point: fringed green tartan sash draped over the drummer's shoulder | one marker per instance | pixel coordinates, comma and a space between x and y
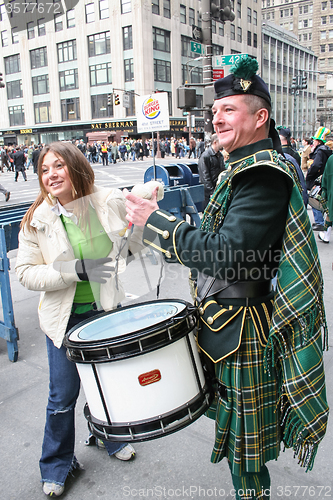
295, 342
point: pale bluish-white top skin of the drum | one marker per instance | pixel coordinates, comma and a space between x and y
126, 321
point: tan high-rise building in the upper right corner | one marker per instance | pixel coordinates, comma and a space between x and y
312, 22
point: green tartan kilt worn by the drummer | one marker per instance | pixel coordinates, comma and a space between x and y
247, 416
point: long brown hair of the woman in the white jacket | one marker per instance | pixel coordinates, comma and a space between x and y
80, 173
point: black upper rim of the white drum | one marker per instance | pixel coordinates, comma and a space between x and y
117, 341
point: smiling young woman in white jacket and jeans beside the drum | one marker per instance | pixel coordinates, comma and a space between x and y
69, 245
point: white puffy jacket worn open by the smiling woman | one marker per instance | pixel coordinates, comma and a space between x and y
46, 261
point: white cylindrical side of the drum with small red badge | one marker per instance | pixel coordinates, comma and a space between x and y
125, 400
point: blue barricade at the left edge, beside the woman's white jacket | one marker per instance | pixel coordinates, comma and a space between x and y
10, 219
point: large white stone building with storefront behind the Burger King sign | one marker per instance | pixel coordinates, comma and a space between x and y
70, 73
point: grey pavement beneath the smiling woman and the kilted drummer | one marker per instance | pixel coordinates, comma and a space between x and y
176, 466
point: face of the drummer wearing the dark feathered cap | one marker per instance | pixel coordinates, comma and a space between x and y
234, 124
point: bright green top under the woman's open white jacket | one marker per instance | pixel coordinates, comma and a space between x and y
90, 243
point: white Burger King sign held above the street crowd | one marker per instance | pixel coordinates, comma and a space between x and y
152, 112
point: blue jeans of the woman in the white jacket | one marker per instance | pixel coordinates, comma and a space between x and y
58, 457
